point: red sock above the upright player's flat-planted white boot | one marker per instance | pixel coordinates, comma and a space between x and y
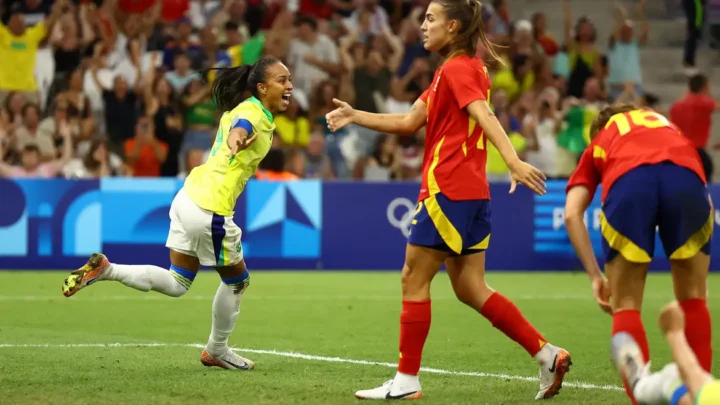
414, 328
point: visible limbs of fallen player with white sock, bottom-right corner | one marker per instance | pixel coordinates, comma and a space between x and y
681, 383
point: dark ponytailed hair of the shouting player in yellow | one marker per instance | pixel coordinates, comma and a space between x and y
230, 85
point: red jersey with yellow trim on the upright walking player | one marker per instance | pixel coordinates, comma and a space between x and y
455, 146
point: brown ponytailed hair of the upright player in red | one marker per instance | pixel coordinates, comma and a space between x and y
469, 14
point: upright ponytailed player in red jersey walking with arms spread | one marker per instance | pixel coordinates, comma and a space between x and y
452, 221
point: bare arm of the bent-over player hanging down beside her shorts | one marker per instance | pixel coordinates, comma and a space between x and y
577, 202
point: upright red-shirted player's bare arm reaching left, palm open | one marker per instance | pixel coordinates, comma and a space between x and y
400, 124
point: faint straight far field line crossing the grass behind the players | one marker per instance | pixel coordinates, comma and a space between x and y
250, 296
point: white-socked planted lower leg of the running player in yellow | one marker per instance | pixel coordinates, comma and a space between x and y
226, 309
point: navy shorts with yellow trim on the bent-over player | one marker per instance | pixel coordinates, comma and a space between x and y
663, 196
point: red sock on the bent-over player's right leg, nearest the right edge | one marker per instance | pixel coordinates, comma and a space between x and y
698, 330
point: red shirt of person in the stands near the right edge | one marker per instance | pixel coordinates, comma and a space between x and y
693, 115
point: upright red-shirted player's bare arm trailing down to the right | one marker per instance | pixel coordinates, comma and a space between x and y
520, 171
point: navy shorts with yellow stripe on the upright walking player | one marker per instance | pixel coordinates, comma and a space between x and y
458, 227
